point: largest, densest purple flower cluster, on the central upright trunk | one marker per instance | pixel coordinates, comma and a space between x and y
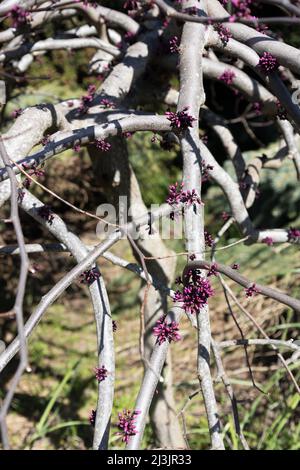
195, 292
